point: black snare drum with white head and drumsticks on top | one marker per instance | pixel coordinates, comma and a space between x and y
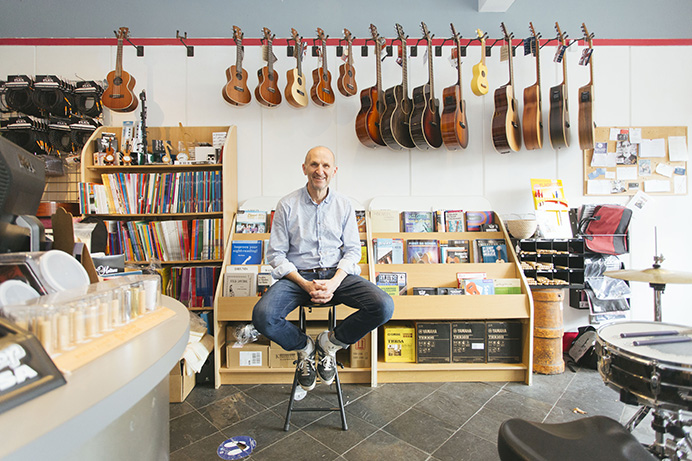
657, 375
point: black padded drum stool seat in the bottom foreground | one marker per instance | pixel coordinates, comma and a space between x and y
597, 437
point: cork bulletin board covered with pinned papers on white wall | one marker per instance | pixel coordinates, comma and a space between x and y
631, 159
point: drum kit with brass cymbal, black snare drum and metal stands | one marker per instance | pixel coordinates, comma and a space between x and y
650, 364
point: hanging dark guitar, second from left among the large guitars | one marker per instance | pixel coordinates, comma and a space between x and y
398, 106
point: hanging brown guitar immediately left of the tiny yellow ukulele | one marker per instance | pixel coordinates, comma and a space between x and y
453, 124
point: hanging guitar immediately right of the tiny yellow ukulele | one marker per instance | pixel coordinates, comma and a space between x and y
505, 126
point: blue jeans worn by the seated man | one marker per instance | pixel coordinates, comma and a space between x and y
375, 308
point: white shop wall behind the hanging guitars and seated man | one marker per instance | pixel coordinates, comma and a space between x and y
638, 86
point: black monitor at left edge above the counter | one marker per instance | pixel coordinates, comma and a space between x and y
22, 180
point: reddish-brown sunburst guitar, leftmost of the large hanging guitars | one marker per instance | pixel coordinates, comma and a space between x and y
372, 102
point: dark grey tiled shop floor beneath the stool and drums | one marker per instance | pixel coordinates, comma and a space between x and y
423, 421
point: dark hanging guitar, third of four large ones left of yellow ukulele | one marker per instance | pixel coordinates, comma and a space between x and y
425, 116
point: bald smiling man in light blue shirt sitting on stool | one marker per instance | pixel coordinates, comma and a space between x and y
314, 248
